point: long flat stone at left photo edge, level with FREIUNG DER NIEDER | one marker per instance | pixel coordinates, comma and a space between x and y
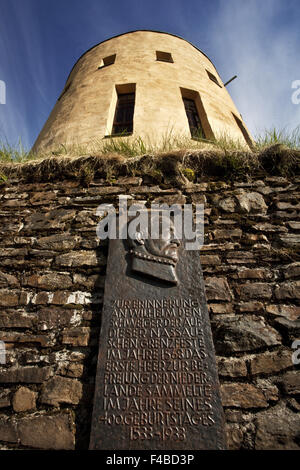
25, 375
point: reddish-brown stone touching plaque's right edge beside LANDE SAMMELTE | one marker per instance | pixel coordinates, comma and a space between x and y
242, 395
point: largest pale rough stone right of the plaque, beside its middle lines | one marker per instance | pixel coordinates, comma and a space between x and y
244, 334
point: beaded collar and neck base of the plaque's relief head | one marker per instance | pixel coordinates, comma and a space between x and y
154, 266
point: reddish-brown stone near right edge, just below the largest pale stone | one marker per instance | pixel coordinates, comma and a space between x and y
270, 362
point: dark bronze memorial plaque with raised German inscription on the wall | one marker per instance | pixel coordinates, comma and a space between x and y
157, 383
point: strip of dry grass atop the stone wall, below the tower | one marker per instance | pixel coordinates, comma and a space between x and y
176, 160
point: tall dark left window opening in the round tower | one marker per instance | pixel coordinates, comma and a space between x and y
123, 121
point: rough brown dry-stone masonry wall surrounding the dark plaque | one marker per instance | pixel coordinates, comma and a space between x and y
52, 272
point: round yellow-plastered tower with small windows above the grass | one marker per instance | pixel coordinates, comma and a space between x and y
144, 84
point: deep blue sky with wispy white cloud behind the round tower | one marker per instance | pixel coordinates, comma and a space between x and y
258, 40
